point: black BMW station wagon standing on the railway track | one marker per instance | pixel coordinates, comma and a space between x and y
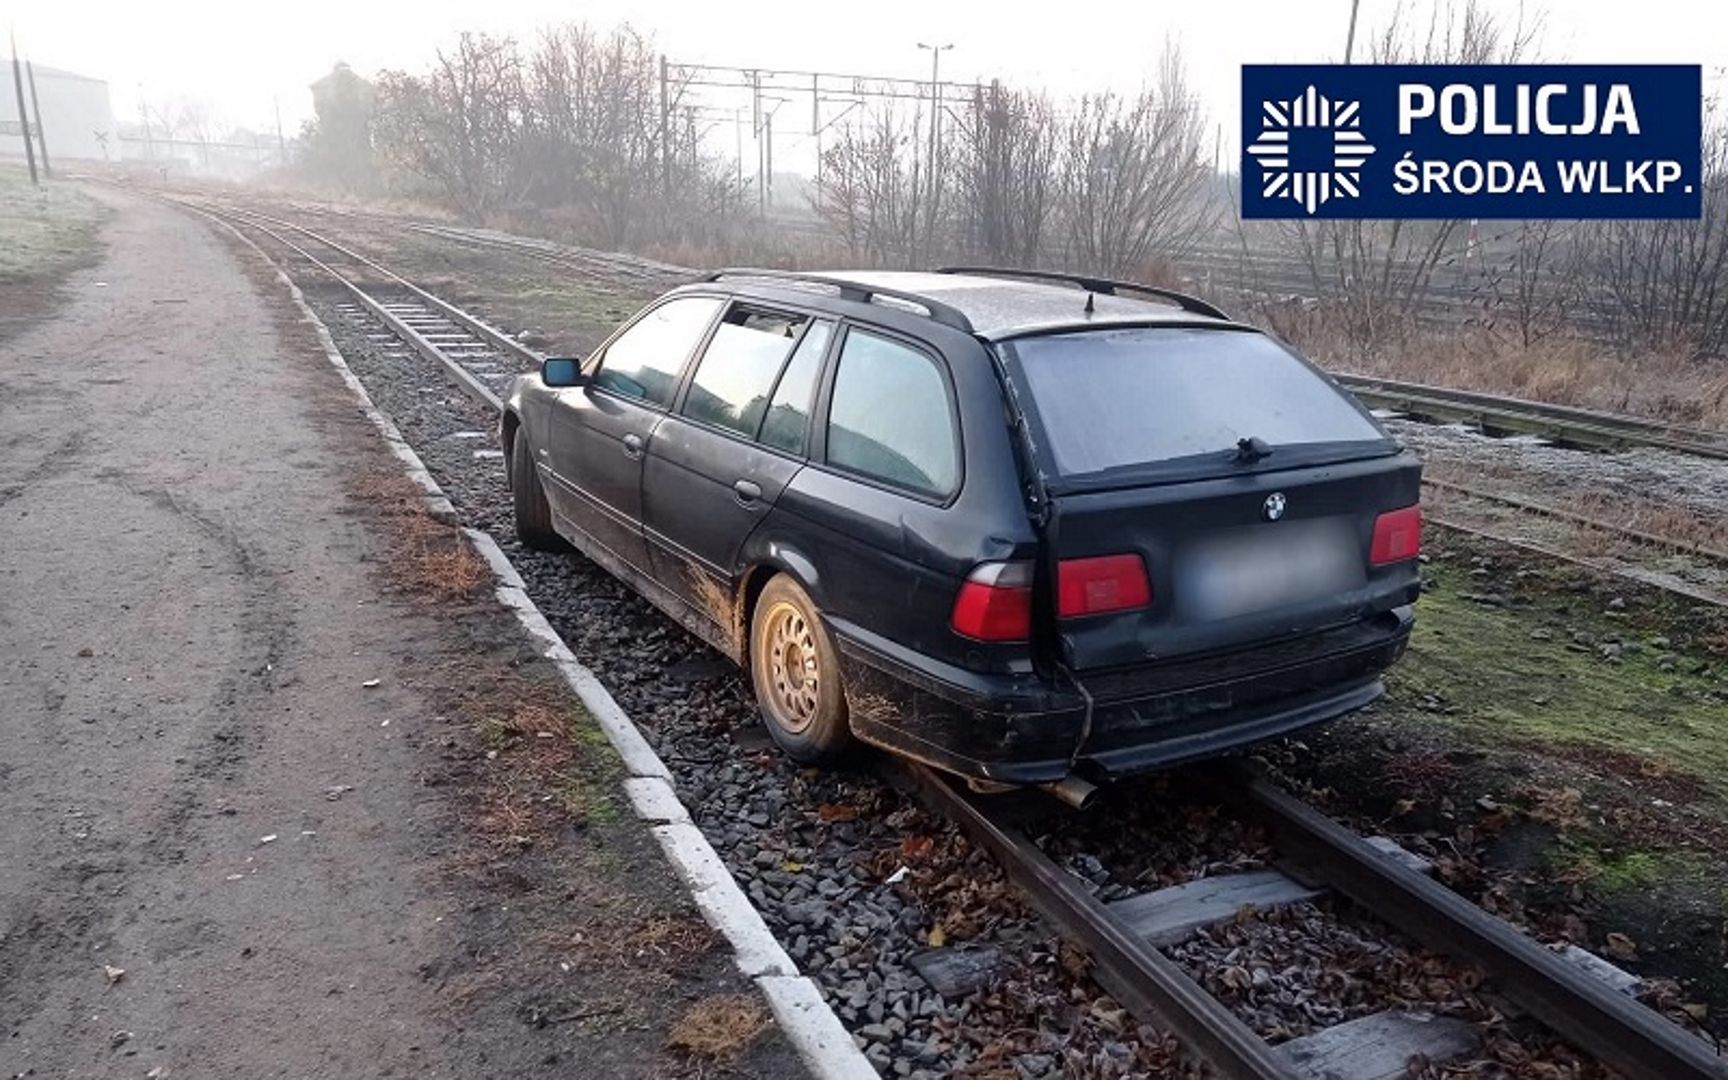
1032, 530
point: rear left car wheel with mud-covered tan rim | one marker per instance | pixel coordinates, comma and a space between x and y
797, 675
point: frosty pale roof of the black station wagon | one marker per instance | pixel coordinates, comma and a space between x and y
1000, 307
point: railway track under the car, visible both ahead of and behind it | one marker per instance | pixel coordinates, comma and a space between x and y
1560, 991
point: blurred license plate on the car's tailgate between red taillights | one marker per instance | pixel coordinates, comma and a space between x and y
1267, 568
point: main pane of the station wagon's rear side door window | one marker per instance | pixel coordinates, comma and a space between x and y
737, 371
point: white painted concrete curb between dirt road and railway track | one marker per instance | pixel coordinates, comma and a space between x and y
804, 1019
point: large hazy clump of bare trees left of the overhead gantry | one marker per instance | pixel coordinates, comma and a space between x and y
576, 130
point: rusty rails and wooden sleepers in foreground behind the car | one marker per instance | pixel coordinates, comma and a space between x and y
1572, 993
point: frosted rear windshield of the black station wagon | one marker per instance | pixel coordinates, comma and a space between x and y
1112, 400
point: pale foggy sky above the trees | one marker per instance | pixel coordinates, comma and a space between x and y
245, 60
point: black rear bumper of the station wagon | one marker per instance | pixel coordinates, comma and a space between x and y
1026, 730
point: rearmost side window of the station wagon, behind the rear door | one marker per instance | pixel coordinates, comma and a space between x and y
891, 416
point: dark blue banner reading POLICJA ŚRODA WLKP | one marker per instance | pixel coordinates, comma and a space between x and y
1471, 141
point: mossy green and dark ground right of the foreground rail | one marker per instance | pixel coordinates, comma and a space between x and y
1560, 744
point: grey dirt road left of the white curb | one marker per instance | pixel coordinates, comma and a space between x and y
222, 730
